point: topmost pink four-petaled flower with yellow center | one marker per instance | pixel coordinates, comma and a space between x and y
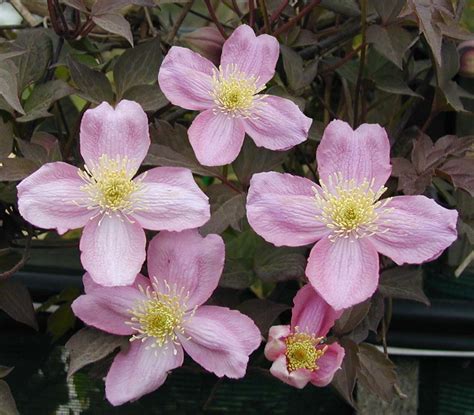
229, 98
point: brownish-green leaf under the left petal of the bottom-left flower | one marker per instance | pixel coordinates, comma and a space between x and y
89, 345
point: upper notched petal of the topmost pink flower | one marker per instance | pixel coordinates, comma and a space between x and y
254, 56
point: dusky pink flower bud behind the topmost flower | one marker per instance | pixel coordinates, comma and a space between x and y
207, 41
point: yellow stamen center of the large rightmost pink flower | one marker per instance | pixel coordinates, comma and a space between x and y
349, 209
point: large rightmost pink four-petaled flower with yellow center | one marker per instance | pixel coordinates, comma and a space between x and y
346, 216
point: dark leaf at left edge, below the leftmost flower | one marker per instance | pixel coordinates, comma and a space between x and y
15, 300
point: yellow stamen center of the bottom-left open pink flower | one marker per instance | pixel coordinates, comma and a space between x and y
160, 316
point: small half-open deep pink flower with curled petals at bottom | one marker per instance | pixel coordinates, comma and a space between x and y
298, 350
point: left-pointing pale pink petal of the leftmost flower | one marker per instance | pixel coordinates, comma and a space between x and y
50, 198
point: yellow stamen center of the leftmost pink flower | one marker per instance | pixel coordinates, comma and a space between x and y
109, 185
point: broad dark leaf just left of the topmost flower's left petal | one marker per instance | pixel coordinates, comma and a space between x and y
138, 66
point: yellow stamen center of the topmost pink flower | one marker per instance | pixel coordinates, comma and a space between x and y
234, 92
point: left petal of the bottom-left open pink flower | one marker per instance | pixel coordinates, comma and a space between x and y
108, 308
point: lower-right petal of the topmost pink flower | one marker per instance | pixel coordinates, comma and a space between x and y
278, 124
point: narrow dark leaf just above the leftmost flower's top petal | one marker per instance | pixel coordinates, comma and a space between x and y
94, 85
